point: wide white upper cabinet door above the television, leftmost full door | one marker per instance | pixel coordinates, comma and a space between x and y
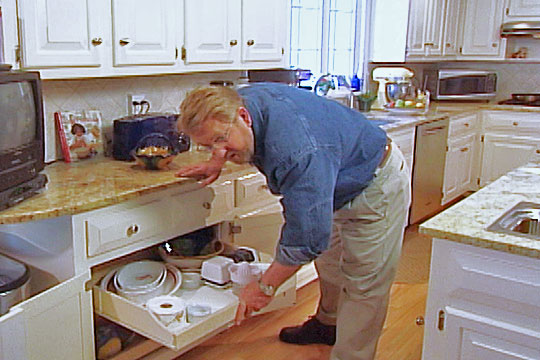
62, 33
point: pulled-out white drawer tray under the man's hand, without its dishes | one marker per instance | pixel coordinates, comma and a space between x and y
183, 336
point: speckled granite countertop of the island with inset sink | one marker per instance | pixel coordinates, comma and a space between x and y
466, 221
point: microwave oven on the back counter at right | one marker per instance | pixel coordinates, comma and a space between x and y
461, 84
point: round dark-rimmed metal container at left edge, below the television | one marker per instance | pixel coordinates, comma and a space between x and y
14, 283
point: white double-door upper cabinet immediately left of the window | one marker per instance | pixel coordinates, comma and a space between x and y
236, 32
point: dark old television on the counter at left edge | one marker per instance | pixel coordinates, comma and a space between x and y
22, 143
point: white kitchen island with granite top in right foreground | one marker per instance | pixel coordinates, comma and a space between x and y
484, 285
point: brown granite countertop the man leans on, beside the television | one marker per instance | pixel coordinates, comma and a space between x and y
91, 184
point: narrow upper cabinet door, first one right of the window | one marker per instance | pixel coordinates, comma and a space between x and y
425, 28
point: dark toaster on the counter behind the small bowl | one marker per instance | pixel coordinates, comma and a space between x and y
129, 130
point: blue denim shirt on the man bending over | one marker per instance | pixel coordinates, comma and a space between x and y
317, 154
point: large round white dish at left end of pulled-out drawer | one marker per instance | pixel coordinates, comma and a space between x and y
140, 275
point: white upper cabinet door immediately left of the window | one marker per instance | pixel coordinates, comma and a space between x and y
264, 30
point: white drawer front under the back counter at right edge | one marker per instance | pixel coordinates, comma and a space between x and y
512, 122
